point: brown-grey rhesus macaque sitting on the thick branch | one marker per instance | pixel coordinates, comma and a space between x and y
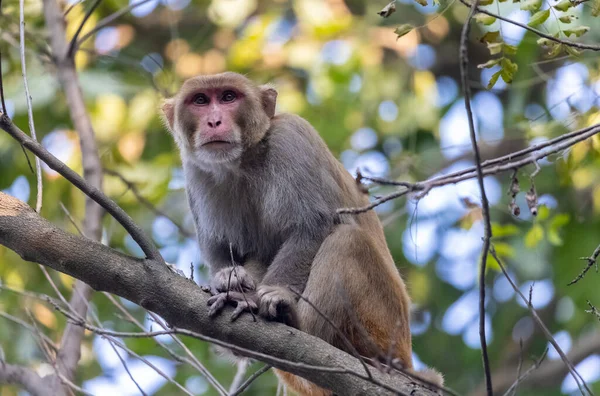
263, 190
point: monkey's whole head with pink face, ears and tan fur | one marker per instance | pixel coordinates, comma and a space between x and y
214, 119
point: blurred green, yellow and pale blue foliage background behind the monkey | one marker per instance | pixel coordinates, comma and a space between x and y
389, 106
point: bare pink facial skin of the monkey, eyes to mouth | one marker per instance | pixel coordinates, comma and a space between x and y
214, 111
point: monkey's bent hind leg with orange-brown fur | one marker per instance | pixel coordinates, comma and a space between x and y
357, 287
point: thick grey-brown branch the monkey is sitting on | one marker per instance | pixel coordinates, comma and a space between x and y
183, 304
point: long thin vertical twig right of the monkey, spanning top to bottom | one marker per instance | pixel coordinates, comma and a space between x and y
485, 207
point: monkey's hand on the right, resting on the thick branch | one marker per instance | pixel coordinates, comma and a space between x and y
277, 303
